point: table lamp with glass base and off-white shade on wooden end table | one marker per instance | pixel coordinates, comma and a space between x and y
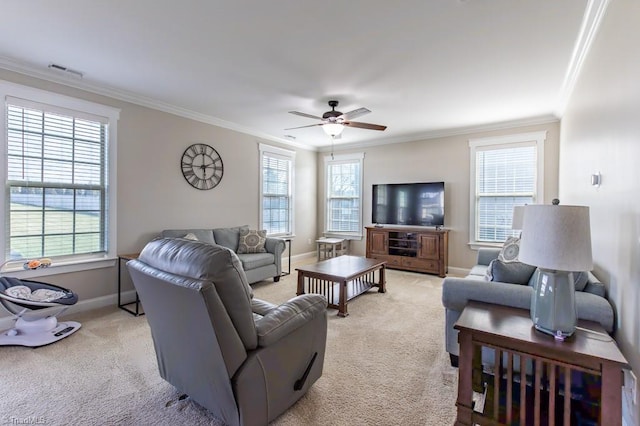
556, 239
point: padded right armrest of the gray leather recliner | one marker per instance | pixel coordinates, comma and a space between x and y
289, 316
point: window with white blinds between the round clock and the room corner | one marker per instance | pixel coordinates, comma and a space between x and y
276, 190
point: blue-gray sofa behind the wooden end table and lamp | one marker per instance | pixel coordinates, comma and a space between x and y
591, 302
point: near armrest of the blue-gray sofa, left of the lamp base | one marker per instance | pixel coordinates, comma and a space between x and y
456, 293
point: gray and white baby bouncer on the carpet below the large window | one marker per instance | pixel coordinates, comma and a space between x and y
35, 325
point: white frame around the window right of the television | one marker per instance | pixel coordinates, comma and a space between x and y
535, 139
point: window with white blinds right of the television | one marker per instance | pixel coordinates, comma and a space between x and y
506, 172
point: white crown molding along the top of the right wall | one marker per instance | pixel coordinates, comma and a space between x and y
591, 21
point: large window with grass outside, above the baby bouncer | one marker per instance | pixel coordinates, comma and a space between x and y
59, 191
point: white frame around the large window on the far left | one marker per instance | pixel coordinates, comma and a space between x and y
71, 263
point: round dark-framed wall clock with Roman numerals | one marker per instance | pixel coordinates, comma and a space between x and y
202, 166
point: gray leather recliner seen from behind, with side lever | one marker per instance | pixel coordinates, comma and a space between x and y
244, 359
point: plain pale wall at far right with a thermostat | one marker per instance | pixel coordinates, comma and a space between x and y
600, 132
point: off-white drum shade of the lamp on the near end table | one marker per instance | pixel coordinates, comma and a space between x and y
556, 237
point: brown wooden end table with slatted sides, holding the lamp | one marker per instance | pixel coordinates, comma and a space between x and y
537, 393
